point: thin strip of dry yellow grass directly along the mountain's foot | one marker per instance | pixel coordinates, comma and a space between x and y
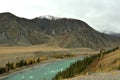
35, 48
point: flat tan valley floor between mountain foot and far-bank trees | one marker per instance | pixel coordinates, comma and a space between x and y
13, 53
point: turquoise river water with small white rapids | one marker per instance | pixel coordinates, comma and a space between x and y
44, 71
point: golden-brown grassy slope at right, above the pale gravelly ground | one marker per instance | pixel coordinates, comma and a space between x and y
108, 63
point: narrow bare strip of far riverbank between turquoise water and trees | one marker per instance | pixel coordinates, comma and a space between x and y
33, 66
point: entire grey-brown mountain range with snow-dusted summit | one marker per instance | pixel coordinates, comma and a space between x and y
64, 32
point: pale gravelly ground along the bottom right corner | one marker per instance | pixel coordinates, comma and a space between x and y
114, 75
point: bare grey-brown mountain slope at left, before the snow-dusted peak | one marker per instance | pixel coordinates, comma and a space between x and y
19, 31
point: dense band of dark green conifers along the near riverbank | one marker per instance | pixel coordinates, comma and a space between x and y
80, 65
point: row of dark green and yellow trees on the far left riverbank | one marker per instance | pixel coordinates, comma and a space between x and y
13, 66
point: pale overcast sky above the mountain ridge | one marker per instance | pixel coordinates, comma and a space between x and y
100, 14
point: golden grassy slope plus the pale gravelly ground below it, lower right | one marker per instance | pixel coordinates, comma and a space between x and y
107, 68
